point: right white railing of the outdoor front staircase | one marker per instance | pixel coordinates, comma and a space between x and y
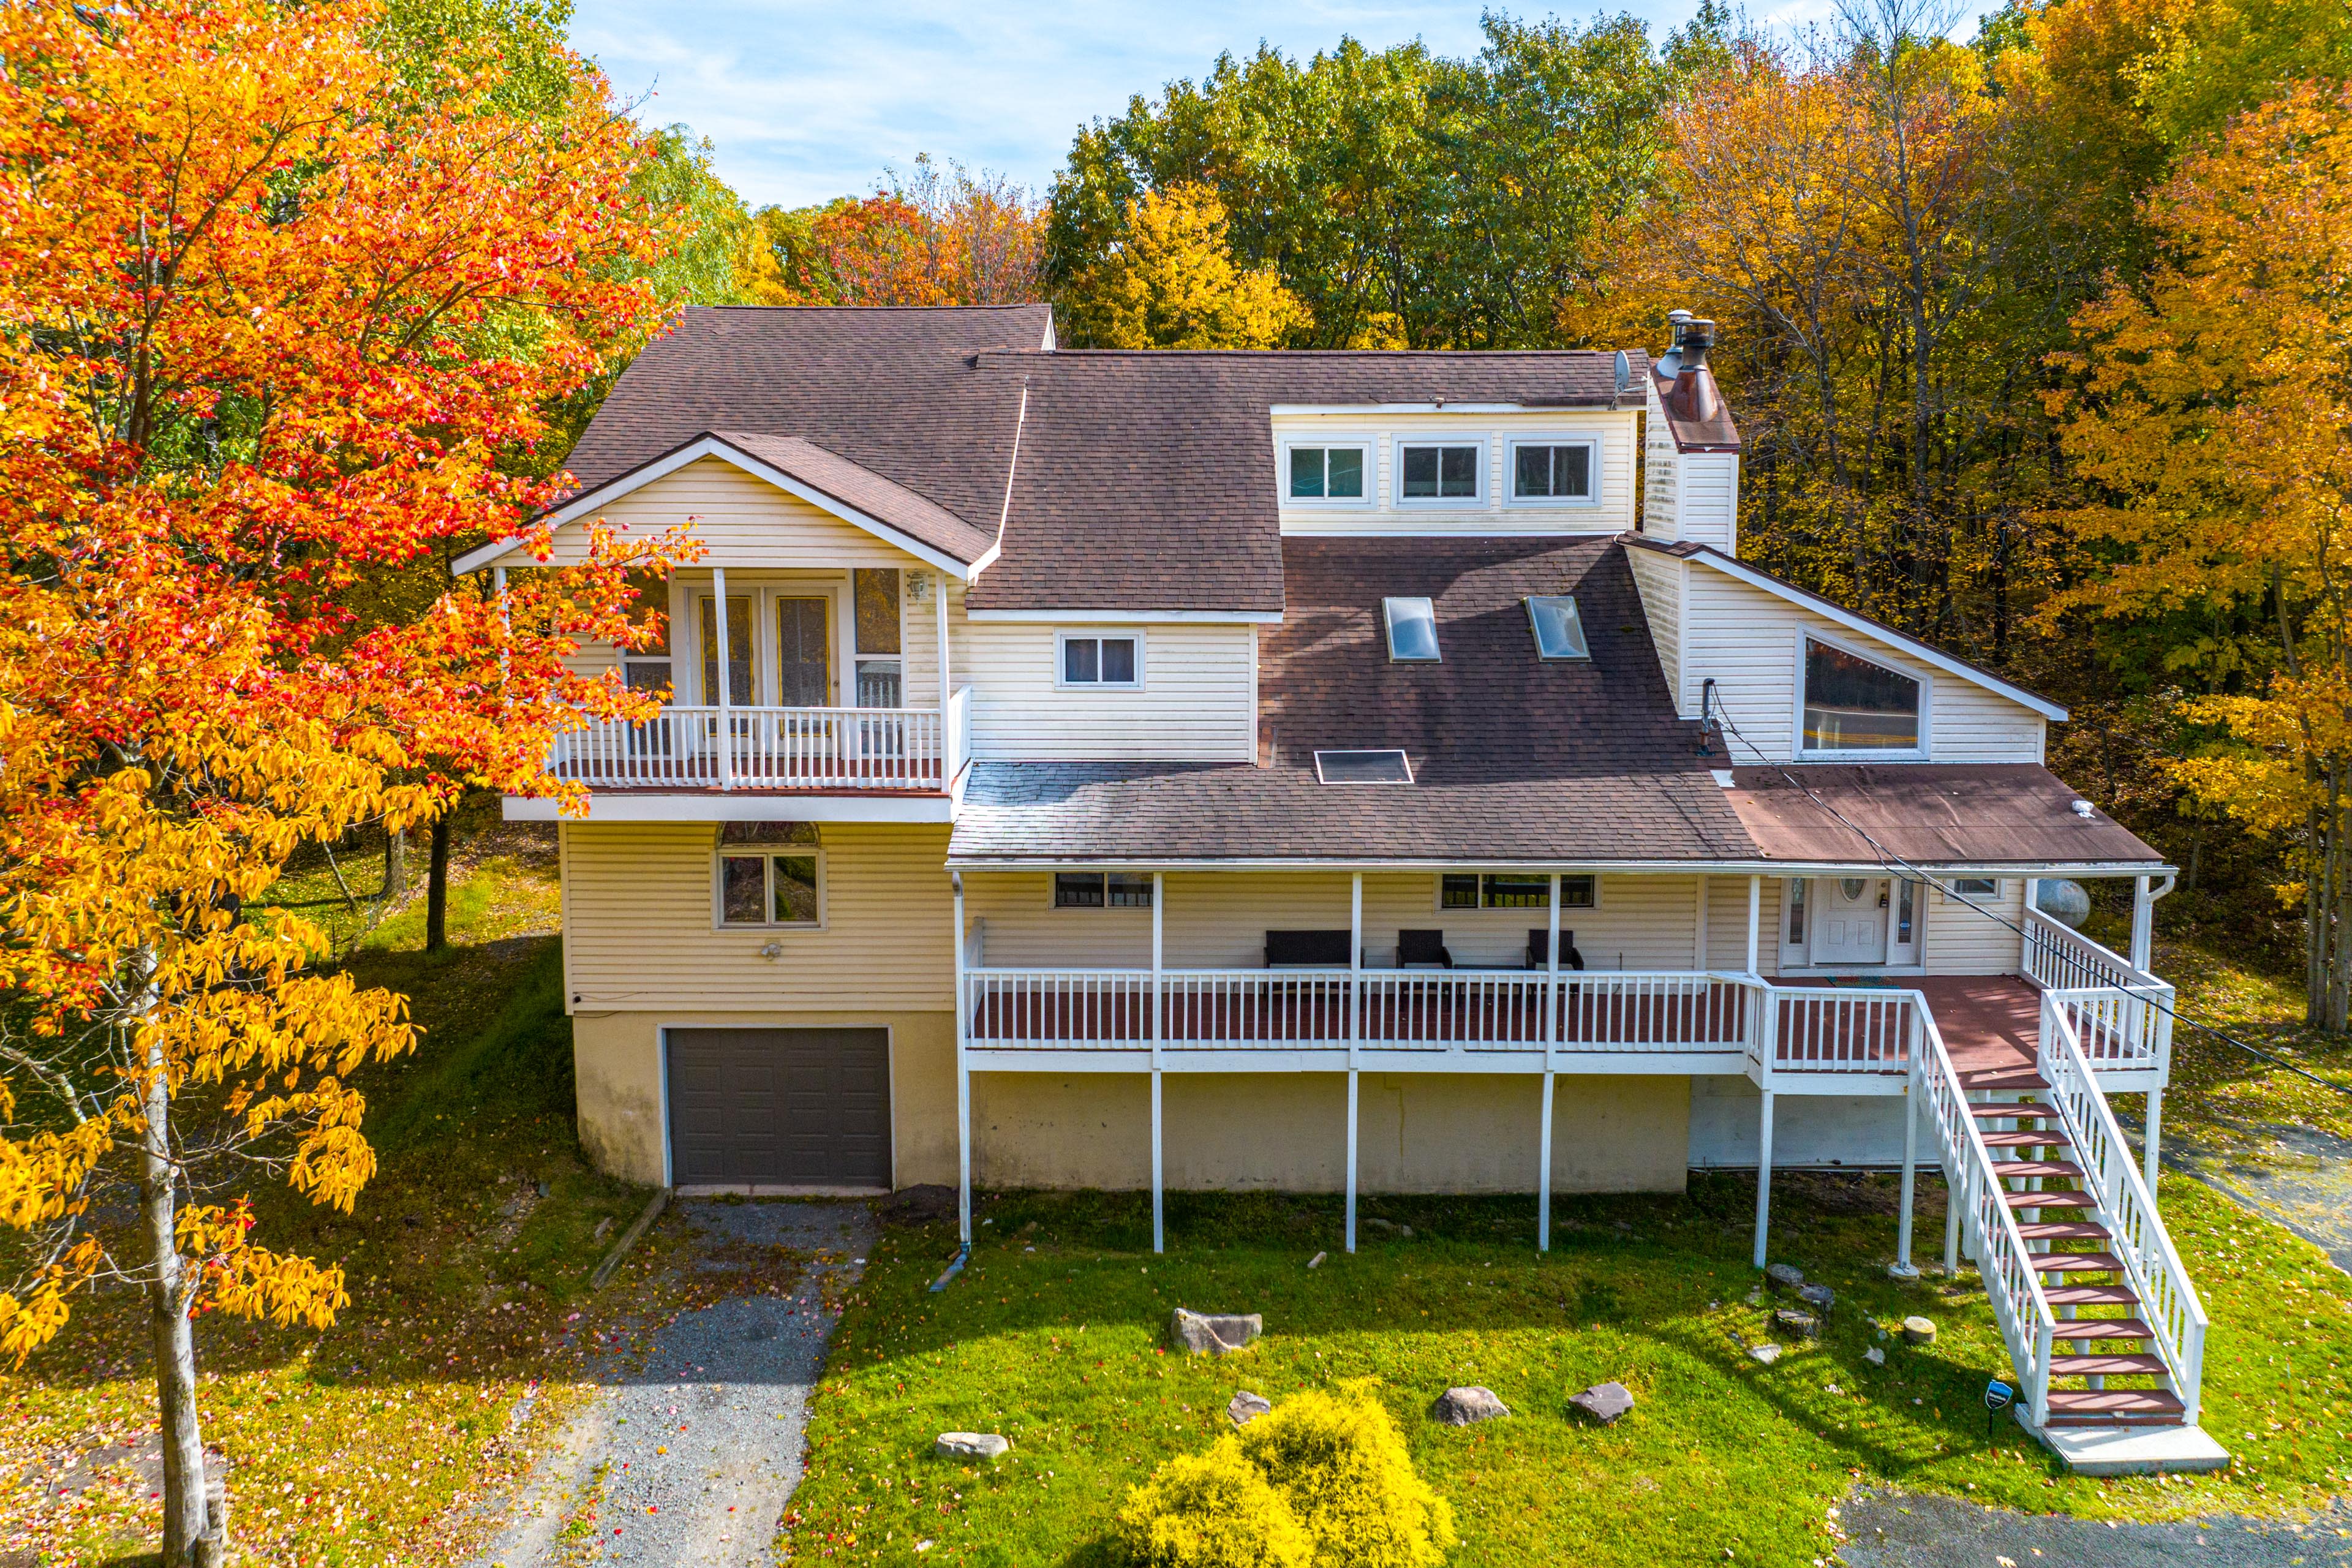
2125, 1205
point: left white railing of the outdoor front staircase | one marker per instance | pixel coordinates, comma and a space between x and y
1991, 1226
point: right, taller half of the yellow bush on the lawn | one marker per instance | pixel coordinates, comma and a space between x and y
1349, 1480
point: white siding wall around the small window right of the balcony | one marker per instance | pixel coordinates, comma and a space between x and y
1198, 699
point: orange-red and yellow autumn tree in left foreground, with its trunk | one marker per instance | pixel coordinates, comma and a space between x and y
274, 321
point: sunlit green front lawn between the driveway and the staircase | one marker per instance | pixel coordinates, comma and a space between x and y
1060, 1348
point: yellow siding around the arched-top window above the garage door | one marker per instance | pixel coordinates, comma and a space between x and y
641, 937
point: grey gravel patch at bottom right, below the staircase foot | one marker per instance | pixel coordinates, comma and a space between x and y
1887, 1529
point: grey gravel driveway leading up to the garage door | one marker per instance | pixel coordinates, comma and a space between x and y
693, 1459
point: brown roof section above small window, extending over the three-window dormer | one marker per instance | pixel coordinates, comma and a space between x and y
1147, 478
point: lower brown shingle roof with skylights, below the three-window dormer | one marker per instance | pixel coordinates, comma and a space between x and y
1514, 758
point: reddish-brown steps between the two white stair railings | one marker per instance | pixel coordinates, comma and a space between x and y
2102, 1336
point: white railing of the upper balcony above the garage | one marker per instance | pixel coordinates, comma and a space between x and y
773, 749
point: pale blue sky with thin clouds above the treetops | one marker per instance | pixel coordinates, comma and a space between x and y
806, 102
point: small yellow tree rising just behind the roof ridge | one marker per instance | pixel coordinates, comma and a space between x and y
1172, 283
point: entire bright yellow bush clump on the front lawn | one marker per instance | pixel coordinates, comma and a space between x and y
1321, 1482
